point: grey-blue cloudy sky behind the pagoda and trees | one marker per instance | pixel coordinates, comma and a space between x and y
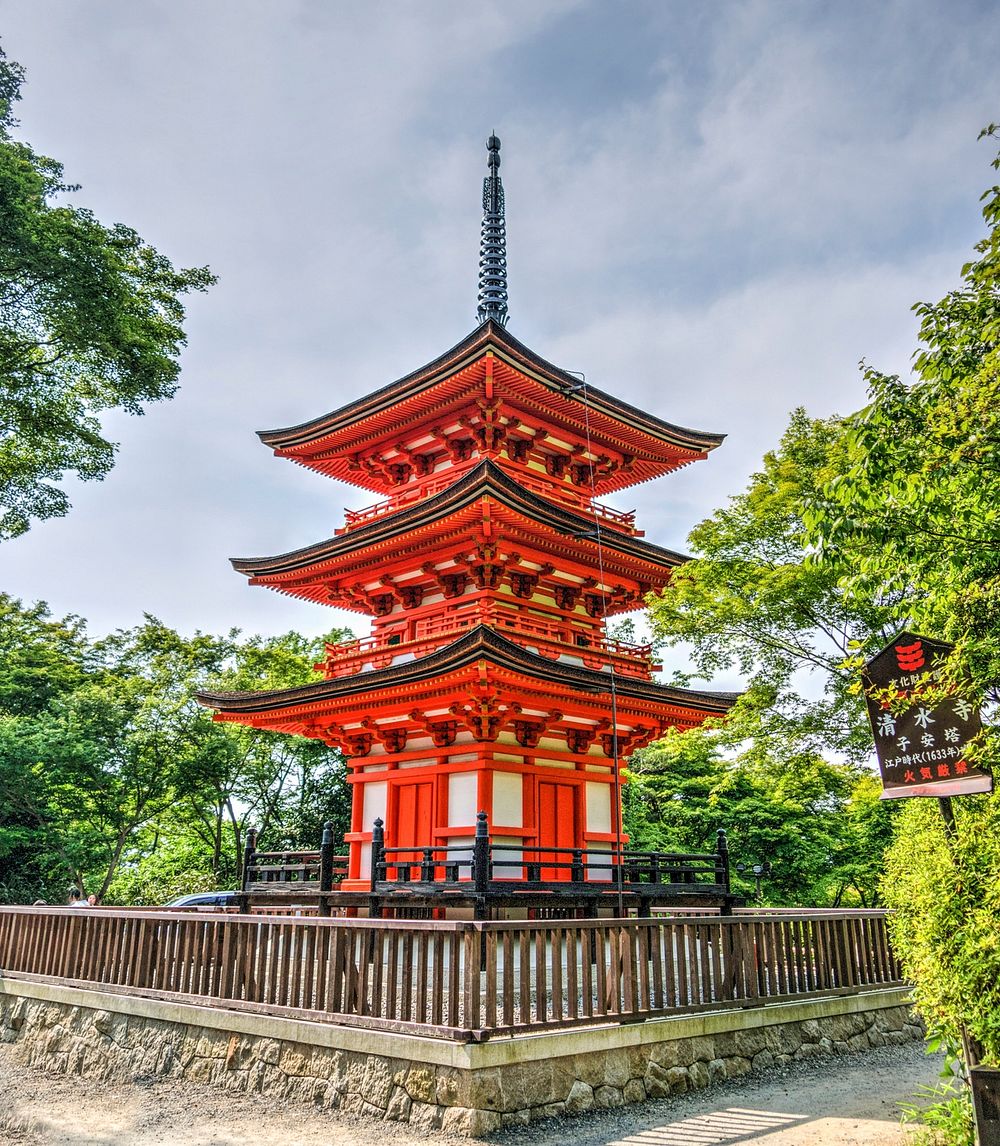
715, 210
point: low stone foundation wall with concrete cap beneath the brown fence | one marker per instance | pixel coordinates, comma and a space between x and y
464, 1089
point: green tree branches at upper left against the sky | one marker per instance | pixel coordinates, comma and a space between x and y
91, 320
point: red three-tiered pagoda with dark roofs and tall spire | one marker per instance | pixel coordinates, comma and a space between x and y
490, 681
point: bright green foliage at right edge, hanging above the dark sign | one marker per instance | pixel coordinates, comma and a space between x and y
914, 519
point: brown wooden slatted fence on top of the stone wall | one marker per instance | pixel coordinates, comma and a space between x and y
456, 980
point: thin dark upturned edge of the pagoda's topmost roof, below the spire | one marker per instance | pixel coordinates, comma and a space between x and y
487, 336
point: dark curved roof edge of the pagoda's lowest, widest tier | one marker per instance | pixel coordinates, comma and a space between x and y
481, 643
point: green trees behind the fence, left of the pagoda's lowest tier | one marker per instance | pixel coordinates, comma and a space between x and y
113, 778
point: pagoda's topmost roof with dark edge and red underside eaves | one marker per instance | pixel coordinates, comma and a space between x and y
327, 443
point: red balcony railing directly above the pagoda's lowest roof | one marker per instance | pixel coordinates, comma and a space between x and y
553, 641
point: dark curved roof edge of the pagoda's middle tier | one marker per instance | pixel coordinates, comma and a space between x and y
485, 480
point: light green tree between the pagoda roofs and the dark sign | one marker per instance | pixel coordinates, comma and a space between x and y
751, 600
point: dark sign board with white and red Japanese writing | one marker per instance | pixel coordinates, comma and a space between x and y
923, 749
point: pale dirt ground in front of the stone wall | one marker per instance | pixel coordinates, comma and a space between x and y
845, 1102
